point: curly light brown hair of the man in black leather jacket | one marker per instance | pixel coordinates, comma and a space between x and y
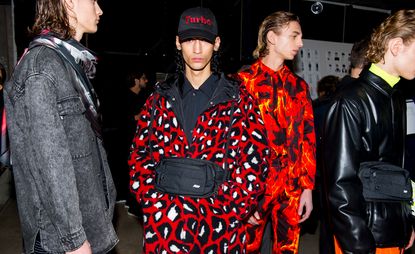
401, 24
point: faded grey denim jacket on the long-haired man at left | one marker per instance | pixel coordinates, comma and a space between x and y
64, 188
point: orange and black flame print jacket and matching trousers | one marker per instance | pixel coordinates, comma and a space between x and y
286, 109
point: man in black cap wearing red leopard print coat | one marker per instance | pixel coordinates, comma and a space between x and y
201, 115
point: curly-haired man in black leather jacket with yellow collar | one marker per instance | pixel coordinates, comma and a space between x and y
366, 123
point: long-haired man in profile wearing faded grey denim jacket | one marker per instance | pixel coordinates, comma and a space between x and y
65, 192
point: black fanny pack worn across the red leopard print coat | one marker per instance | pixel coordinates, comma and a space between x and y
189, 177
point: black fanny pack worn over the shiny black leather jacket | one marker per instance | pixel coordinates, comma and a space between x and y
383, 181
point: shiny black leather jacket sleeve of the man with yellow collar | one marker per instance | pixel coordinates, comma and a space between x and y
342, 150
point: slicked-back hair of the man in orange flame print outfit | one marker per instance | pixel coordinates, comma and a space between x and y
274, 22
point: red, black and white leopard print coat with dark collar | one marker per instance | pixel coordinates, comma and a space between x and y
179, 224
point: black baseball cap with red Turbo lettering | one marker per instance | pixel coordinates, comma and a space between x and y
198, 22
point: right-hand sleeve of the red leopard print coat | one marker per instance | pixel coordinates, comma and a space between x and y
250, 164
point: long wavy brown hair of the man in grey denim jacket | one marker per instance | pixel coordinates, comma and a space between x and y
52, 15
